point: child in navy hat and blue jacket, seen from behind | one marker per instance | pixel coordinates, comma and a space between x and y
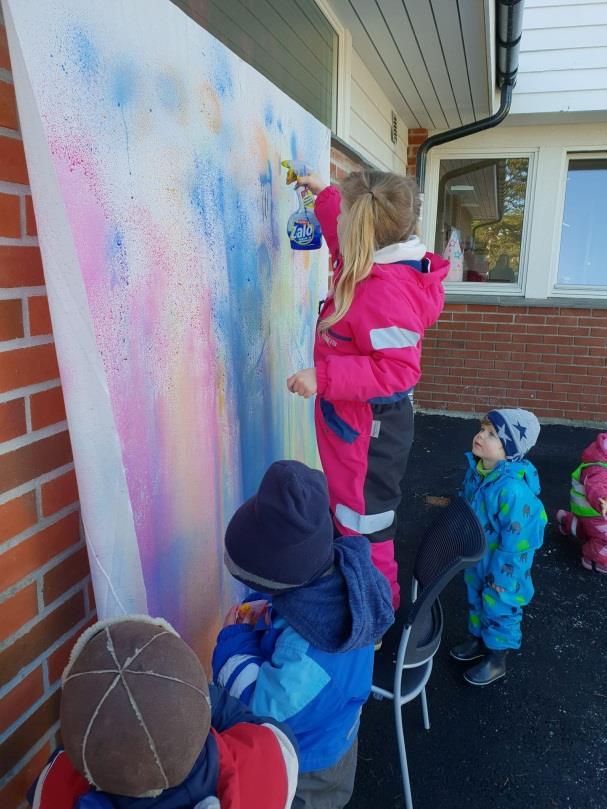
300, 648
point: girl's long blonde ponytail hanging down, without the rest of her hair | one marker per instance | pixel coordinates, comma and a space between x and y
357, 251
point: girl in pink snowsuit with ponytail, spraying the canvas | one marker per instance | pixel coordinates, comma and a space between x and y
387, 290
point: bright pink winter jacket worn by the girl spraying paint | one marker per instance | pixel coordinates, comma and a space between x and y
374, 352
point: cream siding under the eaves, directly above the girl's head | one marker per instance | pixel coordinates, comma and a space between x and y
370, 122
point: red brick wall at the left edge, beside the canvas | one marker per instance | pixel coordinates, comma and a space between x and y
45, 592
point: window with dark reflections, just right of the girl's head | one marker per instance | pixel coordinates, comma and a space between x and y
480, 218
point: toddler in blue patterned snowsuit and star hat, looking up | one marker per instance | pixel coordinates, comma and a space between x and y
503, 489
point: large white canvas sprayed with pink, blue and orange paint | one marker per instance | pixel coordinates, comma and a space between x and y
178, 307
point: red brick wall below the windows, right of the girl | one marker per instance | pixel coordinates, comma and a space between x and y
549, 360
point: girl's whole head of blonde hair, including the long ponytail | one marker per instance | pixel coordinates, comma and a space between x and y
383, 208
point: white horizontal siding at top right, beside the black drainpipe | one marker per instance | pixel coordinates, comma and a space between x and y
563, 59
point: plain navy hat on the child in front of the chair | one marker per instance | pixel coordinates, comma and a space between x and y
282, 538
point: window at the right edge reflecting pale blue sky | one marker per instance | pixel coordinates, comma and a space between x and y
582, 253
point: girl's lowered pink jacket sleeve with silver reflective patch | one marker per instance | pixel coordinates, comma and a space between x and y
388, 334
